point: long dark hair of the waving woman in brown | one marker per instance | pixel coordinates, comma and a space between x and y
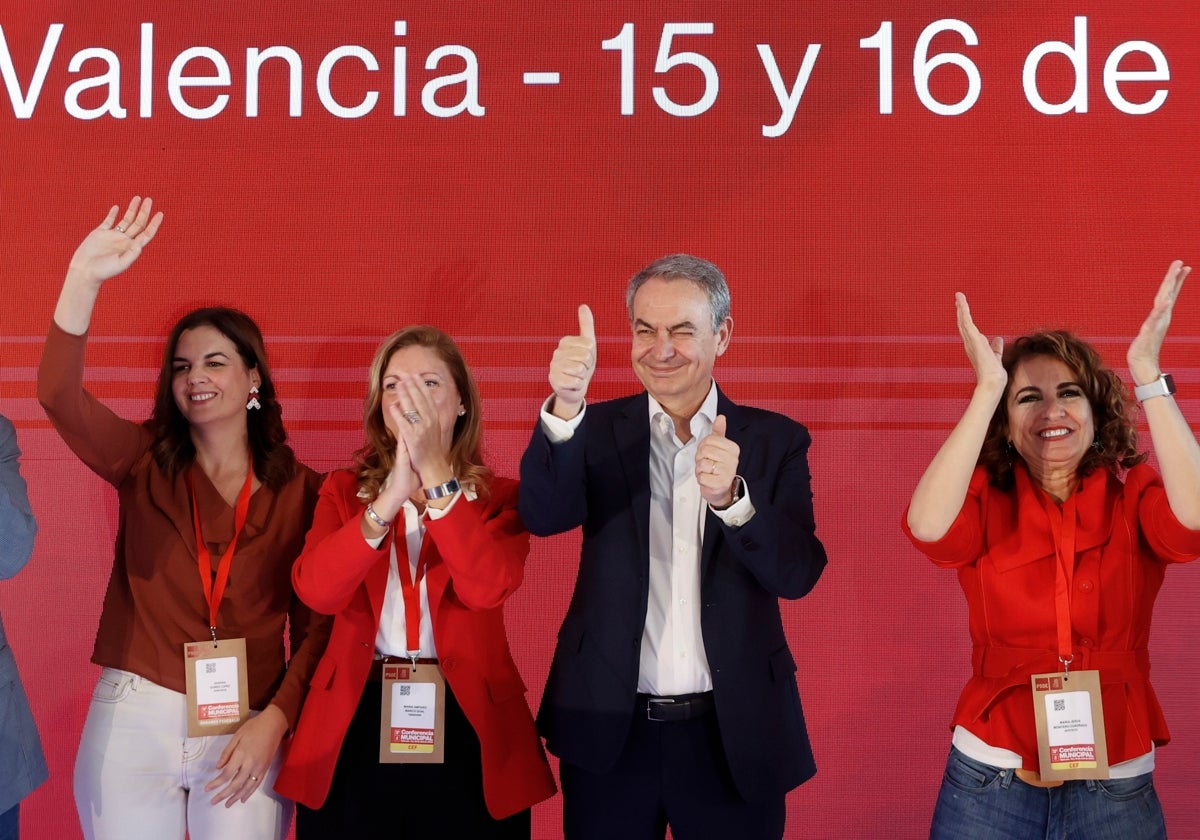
275, 464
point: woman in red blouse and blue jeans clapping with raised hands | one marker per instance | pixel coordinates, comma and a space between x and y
1060, 535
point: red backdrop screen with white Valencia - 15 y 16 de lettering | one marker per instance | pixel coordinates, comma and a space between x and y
340, 175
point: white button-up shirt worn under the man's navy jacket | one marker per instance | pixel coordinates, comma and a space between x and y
673, 659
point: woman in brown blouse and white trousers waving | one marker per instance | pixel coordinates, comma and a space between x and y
214, 508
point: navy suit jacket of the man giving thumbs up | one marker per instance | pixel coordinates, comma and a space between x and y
601, 481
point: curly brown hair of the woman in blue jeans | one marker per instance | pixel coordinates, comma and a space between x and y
1117, 448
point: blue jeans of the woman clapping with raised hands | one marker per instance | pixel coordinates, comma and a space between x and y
982, 802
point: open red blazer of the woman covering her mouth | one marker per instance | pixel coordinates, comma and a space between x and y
476, 560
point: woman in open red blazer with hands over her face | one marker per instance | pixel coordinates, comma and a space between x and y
415, 553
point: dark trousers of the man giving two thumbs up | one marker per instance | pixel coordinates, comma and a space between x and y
669, 773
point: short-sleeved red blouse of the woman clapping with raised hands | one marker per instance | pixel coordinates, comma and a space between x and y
1004, 549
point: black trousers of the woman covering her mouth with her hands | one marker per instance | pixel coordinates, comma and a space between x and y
369, 801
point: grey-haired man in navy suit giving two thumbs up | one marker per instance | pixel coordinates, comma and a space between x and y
673, 695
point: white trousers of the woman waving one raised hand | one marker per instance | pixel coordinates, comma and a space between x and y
139, 776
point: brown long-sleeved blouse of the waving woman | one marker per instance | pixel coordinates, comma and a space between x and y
154, 602
